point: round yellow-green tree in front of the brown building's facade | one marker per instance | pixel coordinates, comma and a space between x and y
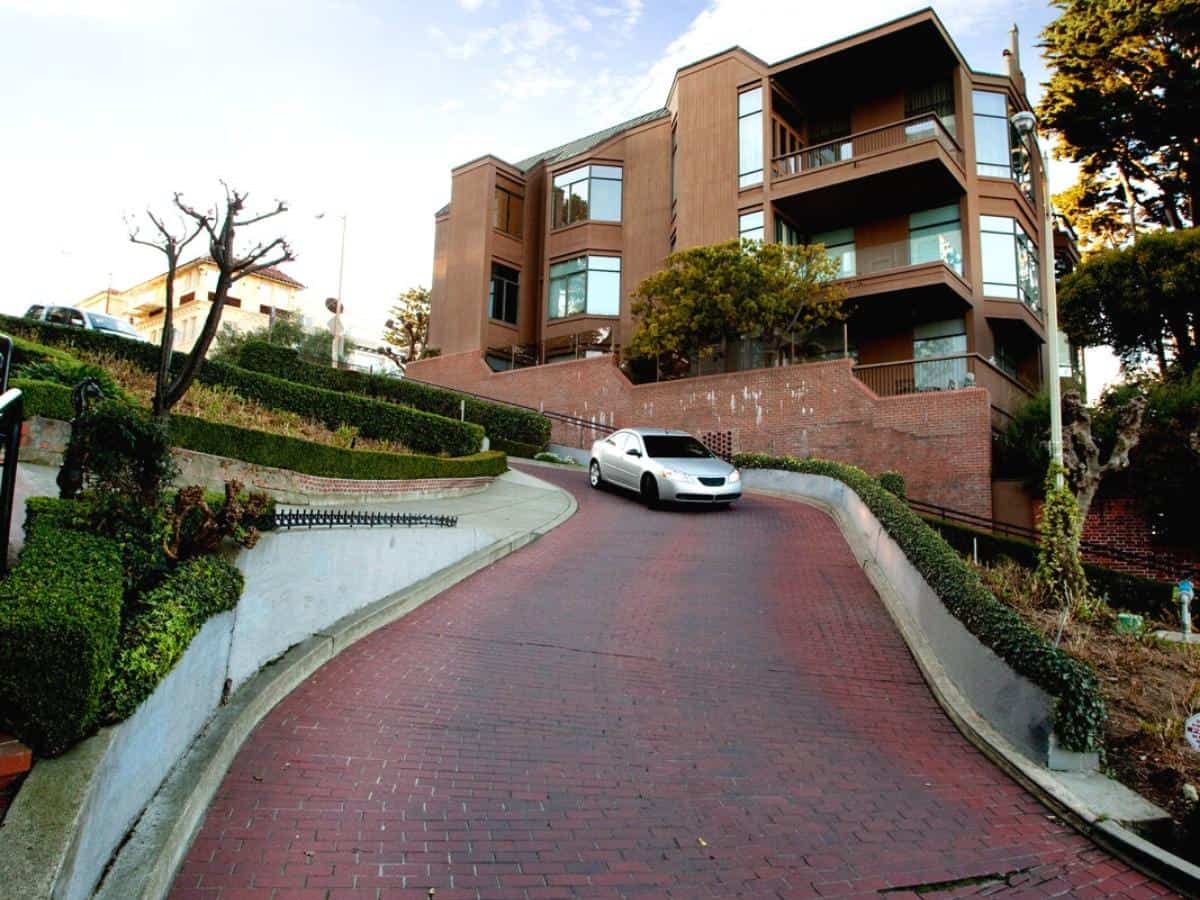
725, 292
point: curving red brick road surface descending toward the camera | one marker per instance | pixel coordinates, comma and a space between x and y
673, 704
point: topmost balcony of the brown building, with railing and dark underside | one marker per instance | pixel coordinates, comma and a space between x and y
895, 167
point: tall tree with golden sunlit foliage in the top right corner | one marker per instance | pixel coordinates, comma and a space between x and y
1125, 99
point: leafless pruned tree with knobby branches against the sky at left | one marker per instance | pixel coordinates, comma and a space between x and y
221, 229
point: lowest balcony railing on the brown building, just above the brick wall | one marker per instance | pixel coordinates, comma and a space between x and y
945, 374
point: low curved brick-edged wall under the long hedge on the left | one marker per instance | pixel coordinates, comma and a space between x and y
43, 441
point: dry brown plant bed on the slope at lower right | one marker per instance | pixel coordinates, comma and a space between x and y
1150, 689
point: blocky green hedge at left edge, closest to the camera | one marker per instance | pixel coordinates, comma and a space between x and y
61, 616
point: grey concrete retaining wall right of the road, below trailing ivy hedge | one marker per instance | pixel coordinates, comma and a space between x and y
1021, 711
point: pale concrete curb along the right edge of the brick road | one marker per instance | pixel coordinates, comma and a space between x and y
1043, 784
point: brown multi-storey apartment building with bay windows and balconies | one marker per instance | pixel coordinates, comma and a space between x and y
886, 147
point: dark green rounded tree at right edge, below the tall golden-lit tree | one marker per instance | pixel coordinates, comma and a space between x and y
1143, 301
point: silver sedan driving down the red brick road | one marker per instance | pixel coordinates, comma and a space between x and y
664, 465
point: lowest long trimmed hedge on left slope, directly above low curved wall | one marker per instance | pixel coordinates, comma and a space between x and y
261, 448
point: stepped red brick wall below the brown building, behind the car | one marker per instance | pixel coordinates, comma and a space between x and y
941, 442
